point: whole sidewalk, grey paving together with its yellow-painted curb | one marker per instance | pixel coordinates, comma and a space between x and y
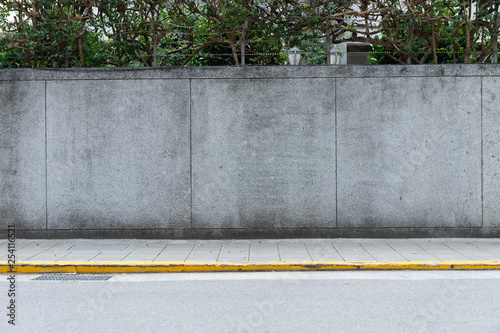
134, 256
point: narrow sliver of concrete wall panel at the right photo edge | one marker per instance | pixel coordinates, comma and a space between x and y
491, 151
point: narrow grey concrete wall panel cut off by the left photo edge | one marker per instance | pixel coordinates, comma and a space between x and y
22, 155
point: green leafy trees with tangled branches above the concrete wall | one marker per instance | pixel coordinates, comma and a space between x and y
91, 33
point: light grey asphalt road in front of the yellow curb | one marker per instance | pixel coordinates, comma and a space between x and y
389, 301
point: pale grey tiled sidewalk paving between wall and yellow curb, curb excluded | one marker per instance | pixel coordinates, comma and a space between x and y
257, 250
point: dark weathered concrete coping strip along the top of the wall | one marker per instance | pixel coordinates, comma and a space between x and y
251, 72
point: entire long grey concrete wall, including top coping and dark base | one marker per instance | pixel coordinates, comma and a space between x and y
328, 151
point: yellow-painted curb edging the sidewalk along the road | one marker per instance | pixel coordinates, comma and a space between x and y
103, 267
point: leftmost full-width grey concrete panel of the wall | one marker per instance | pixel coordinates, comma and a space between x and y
118, 154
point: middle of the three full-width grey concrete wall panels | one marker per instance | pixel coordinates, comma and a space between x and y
263, 153
